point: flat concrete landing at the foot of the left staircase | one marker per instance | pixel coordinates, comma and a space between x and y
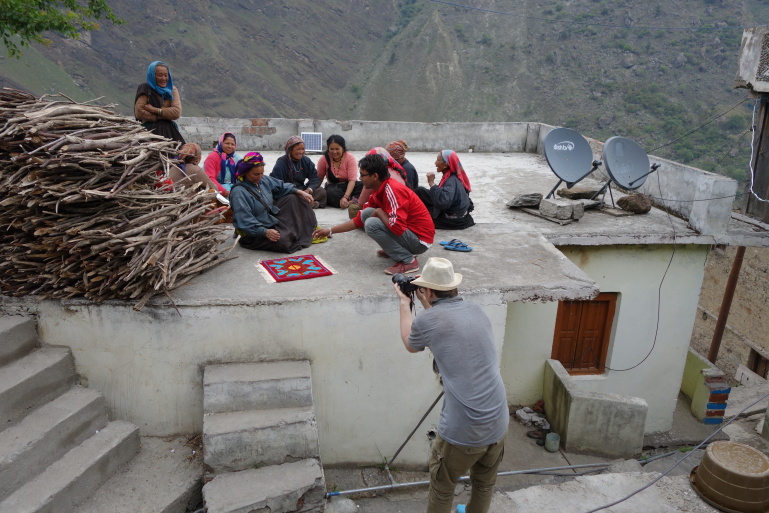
165, 477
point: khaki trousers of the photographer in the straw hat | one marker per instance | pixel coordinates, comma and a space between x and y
449, 462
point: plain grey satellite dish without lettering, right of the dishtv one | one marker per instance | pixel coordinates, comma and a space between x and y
626, 163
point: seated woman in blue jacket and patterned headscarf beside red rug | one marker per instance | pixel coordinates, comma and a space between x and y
269, 214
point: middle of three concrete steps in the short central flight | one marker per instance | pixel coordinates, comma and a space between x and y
241, 440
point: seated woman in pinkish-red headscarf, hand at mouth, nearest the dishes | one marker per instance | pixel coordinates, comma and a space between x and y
449, 202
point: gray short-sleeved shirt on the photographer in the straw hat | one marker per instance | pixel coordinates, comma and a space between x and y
459, 334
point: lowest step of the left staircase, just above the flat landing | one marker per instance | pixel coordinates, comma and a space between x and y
71, 479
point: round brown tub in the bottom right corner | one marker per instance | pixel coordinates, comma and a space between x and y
733, 477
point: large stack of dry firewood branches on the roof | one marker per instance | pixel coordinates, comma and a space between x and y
81, 212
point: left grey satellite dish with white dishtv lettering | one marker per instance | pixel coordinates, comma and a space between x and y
569, 156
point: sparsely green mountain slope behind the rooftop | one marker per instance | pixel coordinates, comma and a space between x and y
652, 71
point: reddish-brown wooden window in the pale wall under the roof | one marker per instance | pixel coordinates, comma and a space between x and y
582, 331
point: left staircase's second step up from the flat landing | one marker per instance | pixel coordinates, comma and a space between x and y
45, 435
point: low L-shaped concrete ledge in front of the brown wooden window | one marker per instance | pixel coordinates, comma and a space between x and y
605, 424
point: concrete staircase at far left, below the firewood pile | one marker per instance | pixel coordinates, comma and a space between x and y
58, 450
